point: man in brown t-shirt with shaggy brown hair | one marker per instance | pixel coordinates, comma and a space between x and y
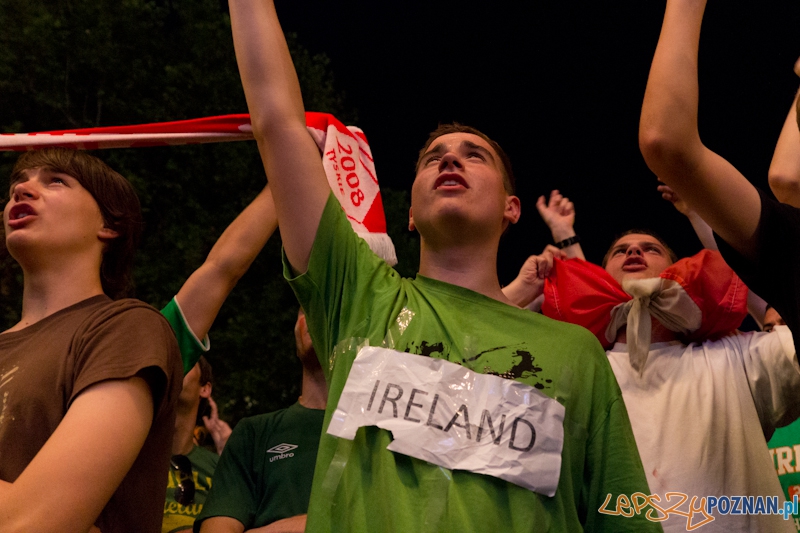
87, 384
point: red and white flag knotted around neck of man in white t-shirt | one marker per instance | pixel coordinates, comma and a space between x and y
698, 297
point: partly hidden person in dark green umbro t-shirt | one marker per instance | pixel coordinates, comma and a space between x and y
264, 476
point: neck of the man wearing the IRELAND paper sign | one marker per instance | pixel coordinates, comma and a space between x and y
469, 265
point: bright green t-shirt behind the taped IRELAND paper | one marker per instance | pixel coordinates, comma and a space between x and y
350, 295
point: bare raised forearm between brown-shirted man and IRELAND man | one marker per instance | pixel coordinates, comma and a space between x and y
203, 294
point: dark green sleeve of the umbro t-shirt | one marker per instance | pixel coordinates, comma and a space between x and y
234, 492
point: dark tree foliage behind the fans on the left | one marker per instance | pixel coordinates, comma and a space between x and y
85, 63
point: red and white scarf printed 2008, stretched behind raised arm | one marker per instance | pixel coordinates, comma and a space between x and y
346, 157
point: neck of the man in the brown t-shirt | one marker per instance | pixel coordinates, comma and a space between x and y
49, 290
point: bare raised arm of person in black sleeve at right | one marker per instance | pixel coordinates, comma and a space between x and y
670, 141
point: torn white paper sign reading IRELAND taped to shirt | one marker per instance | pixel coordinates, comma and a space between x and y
453, 417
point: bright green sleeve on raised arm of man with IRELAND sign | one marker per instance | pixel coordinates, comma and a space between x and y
344, 281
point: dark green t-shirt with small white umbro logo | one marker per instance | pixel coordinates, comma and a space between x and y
266, 468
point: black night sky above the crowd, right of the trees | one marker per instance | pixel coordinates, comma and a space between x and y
560, 86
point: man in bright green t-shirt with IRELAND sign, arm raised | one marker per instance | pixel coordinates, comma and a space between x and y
462, 202
